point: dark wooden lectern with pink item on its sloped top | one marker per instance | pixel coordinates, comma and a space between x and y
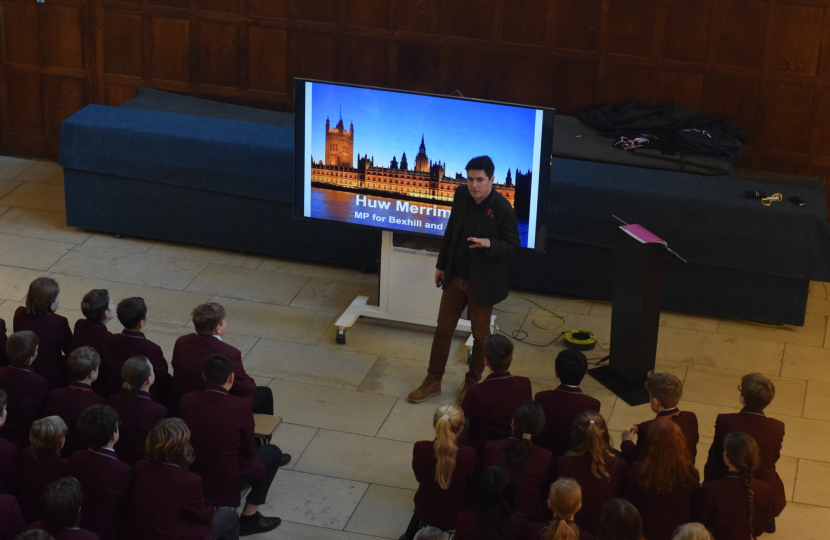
639, 257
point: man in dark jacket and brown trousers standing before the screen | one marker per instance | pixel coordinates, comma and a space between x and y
481, 236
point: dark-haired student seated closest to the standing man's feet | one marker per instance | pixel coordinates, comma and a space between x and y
489, 405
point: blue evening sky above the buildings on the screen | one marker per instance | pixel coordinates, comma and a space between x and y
388, 124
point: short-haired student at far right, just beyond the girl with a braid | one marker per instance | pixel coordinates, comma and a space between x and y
757, 392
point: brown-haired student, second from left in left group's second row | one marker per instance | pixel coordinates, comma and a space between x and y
70, 401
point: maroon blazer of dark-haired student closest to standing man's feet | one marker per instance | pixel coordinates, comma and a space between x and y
489, 406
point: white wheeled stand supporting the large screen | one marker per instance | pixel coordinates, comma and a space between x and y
407, 292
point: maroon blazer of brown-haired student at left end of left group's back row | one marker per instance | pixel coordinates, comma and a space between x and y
55, 336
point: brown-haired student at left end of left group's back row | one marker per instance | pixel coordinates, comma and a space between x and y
39, 316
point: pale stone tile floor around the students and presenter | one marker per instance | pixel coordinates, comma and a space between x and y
346, 421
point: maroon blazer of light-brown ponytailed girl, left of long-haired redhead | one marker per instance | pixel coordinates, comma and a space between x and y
595, 491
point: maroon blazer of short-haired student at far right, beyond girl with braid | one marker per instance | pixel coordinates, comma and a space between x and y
768, 434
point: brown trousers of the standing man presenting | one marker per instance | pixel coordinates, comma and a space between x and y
456, 296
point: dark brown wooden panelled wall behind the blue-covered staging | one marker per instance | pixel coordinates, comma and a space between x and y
763, 63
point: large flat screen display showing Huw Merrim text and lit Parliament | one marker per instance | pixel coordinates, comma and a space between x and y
393, 160
